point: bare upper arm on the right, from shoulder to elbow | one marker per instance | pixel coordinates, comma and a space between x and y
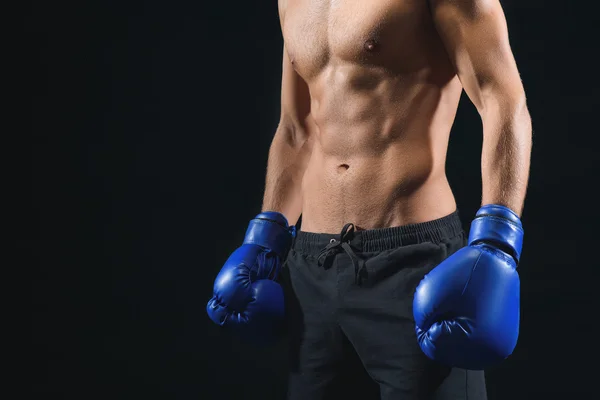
475, 35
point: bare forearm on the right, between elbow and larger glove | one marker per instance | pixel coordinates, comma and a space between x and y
506, 154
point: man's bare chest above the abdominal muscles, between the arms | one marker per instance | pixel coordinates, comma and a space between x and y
371, 32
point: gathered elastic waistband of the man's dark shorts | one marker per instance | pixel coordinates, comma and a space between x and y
375, 240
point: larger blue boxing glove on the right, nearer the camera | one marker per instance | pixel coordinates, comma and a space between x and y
466, 309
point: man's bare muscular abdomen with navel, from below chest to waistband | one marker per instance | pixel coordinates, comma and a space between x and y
379, 151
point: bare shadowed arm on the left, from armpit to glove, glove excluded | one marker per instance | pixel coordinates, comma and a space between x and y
291, 147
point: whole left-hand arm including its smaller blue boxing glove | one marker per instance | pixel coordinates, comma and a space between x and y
255, 307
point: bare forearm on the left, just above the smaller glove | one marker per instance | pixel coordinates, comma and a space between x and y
288, 157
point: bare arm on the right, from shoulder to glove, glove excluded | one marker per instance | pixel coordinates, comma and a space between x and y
475, 36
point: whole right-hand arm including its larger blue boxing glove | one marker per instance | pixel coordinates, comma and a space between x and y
478, 286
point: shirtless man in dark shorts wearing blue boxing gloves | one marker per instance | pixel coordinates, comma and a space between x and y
370, 90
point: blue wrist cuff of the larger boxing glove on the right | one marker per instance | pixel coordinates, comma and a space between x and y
500, 226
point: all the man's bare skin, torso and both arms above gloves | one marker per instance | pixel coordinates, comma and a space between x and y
370, 90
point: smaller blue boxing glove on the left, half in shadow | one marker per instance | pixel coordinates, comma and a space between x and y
246, 295
